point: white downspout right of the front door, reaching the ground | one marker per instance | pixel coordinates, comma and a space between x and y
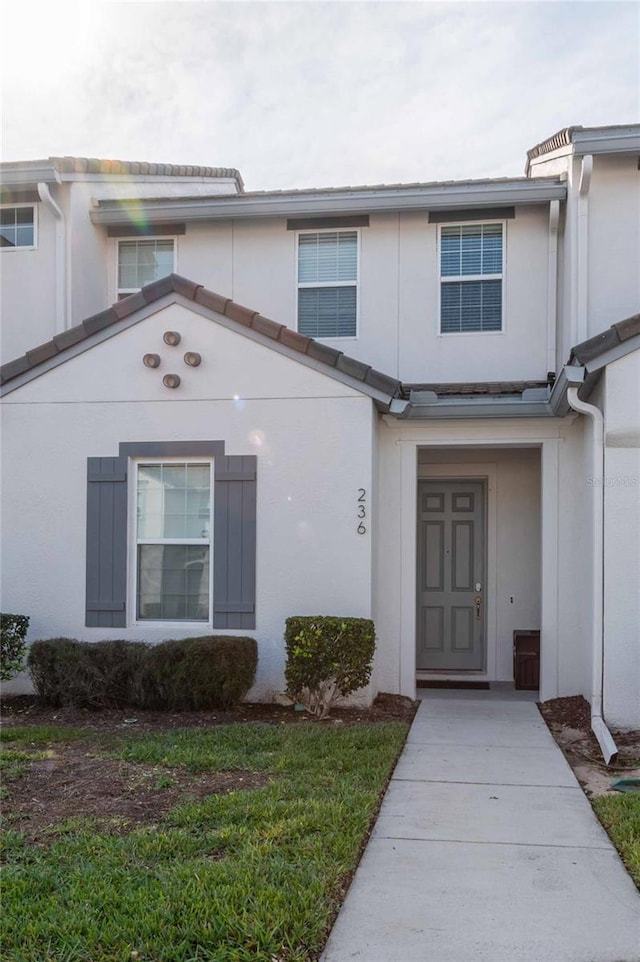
598, 726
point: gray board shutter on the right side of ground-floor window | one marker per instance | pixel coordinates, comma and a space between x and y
234, 542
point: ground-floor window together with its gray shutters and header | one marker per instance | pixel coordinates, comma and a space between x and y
160, 547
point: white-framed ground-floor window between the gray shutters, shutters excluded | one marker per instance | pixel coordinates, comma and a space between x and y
173, 541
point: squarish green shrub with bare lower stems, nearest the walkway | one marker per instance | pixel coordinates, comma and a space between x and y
327, 658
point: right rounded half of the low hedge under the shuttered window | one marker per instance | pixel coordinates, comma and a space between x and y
194, 674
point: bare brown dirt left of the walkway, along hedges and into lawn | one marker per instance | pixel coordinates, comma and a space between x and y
76, 782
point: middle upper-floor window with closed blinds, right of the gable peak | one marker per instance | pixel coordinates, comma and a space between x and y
328, 283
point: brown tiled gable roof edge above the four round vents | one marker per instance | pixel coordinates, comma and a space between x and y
60, 347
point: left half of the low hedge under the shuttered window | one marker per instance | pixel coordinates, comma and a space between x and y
103, 674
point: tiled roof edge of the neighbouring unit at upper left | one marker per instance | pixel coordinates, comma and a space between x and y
36, 170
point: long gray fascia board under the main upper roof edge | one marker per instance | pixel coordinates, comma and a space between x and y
538, 191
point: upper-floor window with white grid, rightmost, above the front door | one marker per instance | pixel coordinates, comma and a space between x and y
471, 278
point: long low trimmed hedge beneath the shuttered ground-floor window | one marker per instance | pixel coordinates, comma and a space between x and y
189, 674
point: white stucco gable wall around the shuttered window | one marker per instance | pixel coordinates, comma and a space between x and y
312, 435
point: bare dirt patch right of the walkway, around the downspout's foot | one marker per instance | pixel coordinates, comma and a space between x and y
569, 720
